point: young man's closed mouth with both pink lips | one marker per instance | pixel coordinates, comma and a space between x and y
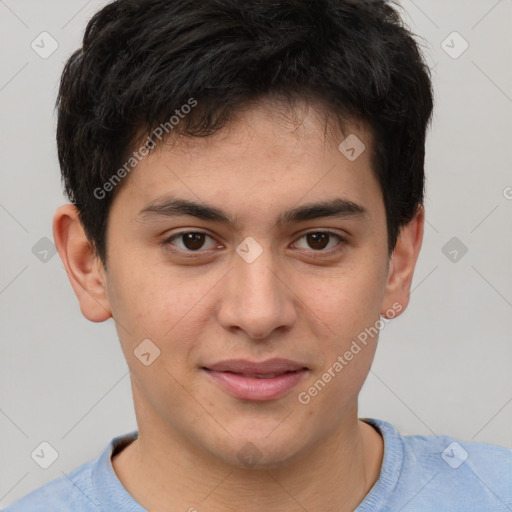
247, 380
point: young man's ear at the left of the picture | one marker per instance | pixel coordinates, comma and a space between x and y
85, 270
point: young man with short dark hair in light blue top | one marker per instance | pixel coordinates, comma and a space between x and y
246, 185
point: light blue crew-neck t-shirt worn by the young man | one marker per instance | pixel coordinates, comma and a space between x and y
418, 474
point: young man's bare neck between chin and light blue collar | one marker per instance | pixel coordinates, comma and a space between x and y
163, 471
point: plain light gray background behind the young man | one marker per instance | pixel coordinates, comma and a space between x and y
443, 367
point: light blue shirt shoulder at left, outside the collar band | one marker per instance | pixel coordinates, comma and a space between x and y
74, 491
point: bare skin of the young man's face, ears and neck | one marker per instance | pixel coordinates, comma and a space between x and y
217, 306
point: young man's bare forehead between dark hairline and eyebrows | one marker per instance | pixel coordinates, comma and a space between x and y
264, 157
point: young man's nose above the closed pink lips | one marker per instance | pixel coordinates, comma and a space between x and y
256, 298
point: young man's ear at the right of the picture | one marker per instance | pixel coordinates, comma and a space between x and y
402, 264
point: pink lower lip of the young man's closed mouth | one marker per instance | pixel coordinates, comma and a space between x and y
246, 388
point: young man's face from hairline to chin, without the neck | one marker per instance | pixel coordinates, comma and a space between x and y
253, 298
